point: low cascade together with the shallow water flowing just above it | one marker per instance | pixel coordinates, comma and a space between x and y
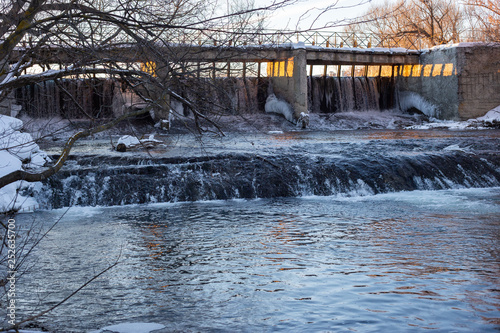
276, 164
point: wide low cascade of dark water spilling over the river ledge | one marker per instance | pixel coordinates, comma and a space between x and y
108, 181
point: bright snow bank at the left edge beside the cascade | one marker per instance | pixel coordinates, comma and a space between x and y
17, 152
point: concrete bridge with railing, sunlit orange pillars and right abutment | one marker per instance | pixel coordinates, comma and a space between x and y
462, 81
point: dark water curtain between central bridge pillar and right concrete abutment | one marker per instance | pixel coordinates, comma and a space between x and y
332, 94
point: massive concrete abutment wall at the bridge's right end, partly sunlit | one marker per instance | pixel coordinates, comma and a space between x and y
461, 81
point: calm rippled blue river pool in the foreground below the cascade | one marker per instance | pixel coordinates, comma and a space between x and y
419, 260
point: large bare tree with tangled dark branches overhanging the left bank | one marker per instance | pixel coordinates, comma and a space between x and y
148, 47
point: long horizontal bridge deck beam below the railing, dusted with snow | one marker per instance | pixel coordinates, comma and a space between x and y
260, 53
